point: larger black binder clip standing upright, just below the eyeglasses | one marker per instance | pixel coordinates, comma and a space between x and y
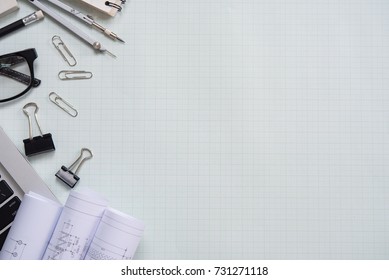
38, 144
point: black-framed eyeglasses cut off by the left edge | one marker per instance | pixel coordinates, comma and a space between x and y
17, 74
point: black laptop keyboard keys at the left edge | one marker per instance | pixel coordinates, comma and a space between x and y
8, 210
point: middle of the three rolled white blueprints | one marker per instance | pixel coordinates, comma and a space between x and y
76, 226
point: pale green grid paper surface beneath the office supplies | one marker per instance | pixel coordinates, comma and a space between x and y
234, 129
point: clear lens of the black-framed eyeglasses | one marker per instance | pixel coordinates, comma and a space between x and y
15, 76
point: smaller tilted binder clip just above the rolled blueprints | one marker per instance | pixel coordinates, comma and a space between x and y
69, 177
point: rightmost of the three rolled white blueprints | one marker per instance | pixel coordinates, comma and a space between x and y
117, 237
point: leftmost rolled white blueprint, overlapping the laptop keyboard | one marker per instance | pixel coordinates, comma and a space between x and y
32, 228
